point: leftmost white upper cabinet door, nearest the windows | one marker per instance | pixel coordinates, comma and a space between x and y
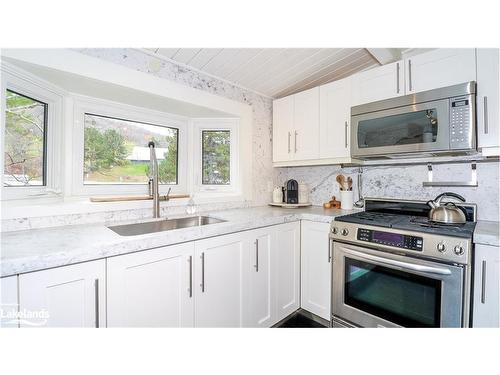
283, 128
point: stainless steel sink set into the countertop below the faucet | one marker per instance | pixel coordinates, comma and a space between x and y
163, 225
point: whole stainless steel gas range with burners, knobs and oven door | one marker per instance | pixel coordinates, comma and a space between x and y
392, 267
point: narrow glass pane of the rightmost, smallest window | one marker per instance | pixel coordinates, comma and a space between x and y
216, 157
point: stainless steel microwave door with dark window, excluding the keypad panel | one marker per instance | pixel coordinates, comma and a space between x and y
422, 127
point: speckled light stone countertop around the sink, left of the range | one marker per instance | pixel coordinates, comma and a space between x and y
38, 249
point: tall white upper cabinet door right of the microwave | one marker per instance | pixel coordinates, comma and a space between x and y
488, 98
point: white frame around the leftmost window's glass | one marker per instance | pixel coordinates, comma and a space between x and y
23, 83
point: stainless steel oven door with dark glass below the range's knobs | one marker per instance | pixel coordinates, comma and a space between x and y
376, 289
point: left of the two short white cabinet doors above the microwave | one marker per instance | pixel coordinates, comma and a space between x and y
380, 83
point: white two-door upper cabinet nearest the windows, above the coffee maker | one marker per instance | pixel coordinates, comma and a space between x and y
296, 127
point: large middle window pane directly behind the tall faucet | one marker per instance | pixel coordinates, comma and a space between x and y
116, 151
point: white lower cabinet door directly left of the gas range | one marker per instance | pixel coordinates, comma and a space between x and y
315, 268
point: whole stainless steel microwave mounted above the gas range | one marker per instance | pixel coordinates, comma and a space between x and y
430, 123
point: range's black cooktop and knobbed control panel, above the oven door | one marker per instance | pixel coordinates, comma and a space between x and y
402, 226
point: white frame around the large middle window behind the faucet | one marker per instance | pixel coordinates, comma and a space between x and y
99, 107
